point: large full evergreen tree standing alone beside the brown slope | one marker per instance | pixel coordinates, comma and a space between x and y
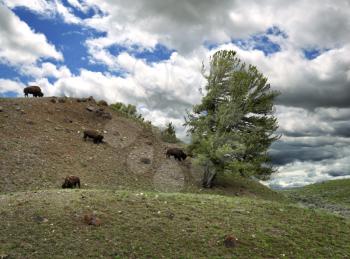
234, 125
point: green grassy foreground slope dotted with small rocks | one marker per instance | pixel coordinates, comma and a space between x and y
48, 224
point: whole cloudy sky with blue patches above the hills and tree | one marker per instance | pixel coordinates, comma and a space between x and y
150, 54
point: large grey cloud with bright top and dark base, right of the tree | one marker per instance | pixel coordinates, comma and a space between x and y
324, 82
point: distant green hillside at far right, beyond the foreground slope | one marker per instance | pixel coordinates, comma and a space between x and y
332, 195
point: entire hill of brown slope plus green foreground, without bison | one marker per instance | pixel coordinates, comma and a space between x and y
147, 206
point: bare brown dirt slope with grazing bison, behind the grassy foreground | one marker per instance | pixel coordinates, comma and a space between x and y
41, 143
